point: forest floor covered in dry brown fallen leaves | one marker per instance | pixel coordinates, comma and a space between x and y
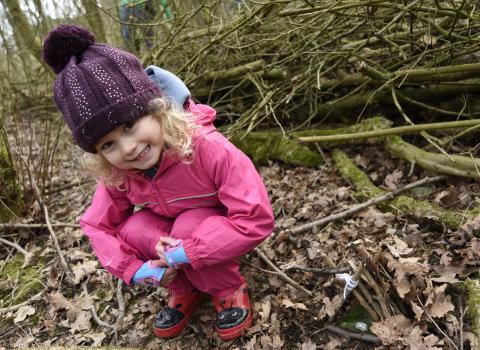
420, 272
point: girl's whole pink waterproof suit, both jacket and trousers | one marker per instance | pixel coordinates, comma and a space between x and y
217, 204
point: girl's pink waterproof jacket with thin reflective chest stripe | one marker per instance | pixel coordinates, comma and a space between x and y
219, 176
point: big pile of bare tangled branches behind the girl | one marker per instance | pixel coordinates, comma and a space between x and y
295, 63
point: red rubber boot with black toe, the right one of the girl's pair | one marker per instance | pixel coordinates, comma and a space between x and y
234, 314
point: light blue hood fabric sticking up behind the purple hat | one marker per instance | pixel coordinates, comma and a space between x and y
170, 84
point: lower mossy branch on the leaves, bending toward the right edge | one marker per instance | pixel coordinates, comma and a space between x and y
365, 189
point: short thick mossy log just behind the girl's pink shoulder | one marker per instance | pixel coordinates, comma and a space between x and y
263, 146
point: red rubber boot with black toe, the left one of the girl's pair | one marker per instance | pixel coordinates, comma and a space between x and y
173, 319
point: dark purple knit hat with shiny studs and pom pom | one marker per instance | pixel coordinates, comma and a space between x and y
97, 87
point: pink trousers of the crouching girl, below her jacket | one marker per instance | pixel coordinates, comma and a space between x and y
142, 231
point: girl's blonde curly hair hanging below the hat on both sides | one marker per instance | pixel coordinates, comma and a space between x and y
177, 128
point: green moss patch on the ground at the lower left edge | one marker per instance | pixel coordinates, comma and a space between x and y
29, 280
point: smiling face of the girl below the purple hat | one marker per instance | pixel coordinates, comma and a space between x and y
133, 145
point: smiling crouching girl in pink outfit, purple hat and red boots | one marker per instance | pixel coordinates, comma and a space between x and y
204, 204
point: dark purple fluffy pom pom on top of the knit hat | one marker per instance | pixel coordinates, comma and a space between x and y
64, 42
